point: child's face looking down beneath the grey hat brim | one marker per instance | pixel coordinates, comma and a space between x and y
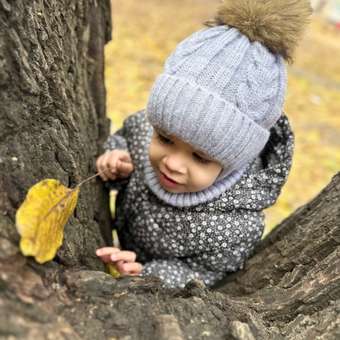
172, 158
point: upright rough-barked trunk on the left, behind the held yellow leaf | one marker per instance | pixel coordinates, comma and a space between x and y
52, 114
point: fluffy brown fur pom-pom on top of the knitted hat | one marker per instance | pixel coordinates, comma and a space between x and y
277, 24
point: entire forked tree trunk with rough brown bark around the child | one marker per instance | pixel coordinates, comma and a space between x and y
52, 123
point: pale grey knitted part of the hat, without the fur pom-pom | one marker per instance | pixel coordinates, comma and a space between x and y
221, 93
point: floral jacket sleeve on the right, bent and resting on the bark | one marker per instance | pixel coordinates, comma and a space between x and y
226, 247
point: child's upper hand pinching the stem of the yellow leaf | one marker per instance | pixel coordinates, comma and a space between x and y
114, 164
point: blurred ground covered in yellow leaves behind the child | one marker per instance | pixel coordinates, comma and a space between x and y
144, 34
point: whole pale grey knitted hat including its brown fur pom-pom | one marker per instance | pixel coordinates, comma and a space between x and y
223, 87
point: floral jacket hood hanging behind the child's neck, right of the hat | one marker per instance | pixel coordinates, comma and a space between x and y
261, 184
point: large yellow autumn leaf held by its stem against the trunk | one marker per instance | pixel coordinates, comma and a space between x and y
41, 218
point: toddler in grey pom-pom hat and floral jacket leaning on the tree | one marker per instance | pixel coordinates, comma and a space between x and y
195, 170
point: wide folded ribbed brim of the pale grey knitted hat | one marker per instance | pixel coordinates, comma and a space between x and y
198, 117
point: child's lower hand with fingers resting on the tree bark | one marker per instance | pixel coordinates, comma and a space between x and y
124, 260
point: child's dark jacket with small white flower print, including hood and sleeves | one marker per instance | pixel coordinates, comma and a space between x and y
204, 240
